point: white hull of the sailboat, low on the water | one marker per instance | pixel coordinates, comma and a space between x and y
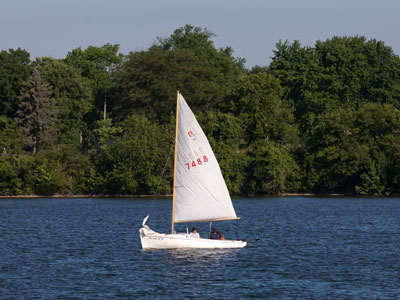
154, 240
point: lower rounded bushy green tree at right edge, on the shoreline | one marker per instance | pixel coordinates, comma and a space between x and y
355, 150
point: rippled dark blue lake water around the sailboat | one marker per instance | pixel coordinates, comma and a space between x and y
307, 248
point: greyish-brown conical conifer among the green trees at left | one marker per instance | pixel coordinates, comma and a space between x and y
37, 115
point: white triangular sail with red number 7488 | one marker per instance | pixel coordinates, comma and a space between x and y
200, 190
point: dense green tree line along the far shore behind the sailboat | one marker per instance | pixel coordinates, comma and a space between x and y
319, 119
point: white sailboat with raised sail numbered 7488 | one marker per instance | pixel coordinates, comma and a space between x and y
200, 193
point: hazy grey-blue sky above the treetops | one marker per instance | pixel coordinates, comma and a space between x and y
251, 27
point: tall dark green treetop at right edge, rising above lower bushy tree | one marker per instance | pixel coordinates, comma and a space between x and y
356, 70
